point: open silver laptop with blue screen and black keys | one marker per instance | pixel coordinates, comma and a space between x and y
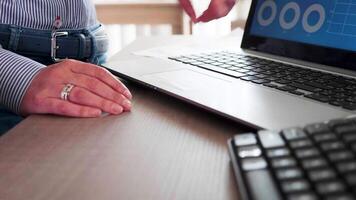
296, 66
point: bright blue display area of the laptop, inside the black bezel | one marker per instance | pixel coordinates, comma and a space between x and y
330, 23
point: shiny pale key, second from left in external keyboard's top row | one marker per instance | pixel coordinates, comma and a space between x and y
270, 139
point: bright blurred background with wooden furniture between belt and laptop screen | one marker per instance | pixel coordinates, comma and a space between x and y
126, 20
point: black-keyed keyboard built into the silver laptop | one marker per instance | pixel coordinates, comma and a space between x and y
320, 86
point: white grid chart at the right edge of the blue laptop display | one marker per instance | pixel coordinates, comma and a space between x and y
343, 18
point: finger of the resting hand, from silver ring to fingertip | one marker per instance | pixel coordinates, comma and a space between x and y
84, 97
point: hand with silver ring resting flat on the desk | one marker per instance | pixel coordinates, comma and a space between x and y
77, 89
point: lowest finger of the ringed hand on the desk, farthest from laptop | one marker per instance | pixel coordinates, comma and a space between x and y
66, 108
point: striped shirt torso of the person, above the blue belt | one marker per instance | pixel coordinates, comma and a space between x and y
41, 14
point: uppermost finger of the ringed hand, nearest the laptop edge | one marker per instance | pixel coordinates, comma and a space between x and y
101, 74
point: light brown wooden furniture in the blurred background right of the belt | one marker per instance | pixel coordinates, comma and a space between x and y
153, 12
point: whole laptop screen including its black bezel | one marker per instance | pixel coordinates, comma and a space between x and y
317, 30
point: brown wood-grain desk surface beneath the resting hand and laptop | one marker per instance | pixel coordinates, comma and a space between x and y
163, 149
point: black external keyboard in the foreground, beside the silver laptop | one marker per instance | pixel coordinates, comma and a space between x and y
314, 162
